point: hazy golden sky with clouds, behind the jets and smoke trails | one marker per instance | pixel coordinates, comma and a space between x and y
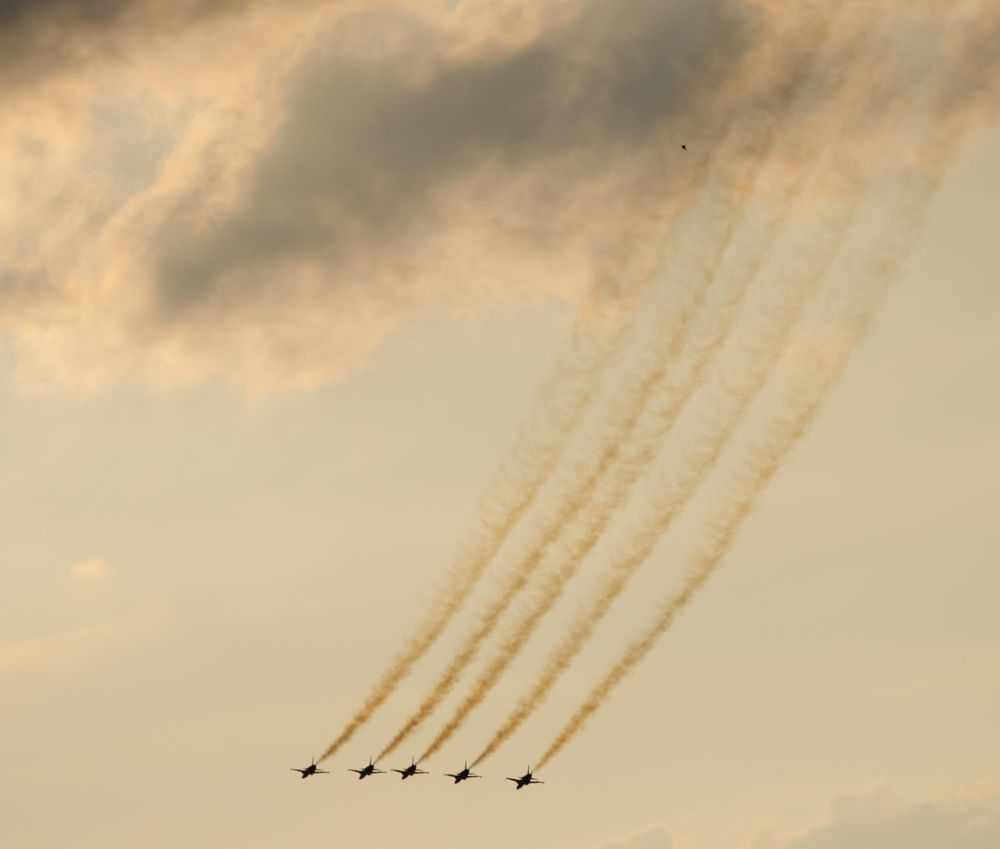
280, 285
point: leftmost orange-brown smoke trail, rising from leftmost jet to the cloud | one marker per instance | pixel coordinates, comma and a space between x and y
561, 401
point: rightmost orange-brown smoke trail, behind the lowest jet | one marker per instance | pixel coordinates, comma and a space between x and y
819, 367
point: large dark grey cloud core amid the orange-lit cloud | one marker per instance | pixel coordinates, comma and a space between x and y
376, 133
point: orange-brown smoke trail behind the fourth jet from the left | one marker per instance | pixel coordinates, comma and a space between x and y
832, 199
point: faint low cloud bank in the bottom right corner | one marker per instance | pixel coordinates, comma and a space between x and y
880, 819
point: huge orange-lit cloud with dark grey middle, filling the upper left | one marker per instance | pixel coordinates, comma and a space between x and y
267, 196
